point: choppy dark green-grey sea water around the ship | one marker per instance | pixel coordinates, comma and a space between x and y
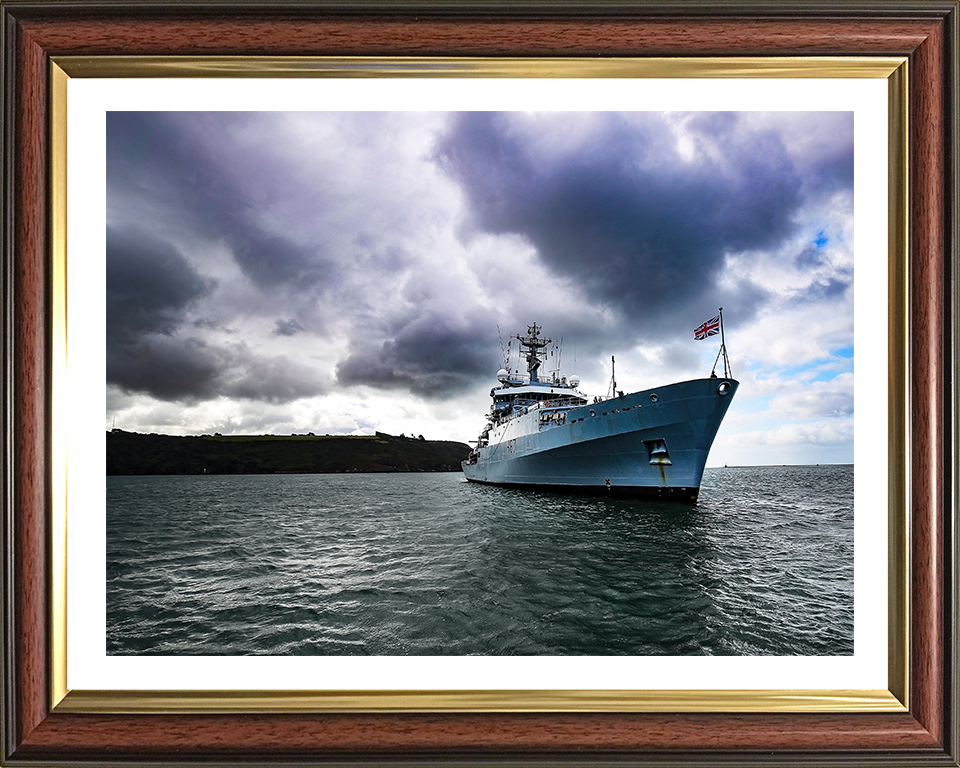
429, 564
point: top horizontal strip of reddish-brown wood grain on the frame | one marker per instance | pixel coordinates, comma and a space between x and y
451, 37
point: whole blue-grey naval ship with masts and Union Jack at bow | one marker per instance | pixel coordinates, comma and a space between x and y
546, 434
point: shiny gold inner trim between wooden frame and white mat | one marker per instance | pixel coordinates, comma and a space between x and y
893, 69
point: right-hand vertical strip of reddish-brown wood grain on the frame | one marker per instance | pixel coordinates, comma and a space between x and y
929, 382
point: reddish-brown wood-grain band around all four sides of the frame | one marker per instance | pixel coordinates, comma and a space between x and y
881, 739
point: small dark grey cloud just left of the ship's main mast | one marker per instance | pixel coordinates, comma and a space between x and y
430, 355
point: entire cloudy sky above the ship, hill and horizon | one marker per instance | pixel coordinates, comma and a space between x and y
346, 272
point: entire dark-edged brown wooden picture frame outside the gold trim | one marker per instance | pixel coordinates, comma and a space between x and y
37, 731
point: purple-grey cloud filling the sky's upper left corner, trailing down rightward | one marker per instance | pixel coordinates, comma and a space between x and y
191, 169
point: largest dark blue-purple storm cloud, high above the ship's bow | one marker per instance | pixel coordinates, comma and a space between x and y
622, 214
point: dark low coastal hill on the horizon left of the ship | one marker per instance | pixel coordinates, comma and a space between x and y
132, 453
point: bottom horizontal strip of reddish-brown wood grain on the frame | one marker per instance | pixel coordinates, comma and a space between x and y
297, 735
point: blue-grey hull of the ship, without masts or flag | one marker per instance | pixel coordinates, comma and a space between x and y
651, 443
